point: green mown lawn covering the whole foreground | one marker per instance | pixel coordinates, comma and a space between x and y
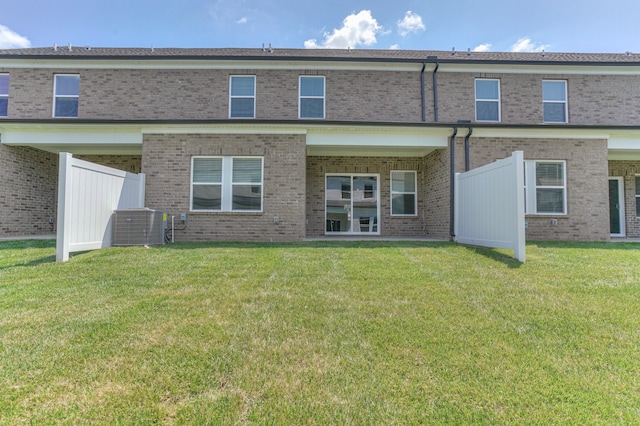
320, 333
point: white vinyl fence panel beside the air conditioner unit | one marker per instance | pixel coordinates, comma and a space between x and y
88, 194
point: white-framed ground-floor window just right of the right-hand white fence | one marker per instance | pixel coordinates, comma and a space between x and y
545, 187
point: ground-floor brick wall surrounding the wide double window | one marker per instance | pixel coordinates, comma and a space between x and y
167, 164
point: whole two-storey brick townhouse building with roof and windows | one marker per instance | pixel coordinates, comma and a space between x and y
287, 144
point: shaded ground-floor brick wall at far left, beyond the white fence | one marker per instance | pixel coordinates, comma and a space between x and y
29, 191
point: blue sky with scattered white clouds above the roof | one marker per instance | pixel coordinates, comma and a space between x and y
495, 25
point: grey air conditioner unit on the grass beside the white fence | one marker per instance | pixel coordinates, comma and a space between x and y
139, 227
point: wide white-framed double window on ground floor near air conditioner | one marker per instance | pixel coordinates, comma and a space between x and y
226, 184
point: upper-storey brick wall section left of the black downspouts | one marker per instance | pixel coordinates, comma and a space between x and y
204, 94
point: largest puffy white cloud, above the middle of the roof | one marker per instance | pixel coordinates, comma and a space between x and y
357, 30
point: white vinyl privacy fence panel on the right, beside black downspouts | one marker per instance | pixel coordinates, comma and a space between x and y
489, 205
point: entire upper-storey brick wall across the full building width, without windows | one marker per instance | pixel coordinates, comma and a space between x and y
386, 96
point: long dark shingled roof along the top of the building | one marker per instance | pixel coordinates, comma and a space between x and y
358, 55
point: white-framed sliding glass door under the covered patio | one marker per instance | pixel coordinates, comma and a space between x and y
352, 204
